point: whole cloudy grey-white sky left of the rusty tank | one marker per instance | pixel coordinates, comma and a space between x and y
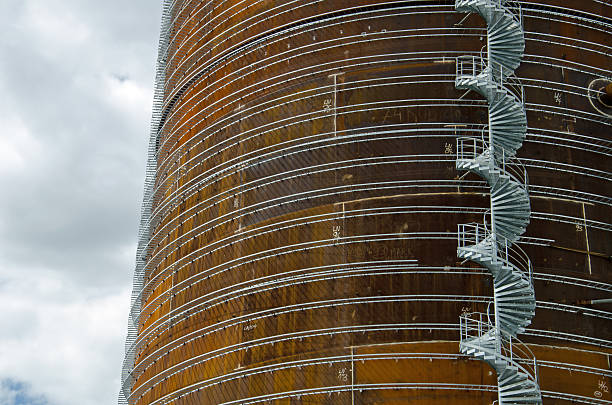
76, 79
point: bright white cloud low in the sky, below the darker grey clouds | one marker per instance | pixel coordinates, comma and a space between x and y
58, 335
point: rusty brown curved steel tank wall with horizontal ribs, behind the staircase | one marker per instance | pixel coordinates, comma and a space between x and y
299, 231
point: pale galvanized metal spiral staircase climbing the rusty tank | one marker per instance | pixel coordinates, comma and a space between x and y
490, 154
